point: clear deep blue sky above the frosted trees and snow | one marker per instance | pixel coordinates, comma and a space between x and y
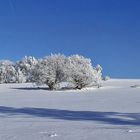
107, 31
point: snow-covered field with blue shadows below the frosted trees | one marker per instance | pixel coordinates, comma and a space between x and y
109, 113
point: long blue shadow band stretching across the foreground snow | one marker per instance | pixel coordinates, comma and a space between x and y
114, 118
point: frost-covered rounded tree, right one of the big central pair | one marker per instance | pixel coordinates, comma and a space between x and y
80, 71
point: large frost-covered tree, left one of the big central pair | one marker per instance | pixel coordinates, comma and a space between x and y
50, 70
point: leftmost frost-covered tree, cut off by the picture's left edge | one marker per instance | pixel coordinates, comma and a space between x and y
7, 72
